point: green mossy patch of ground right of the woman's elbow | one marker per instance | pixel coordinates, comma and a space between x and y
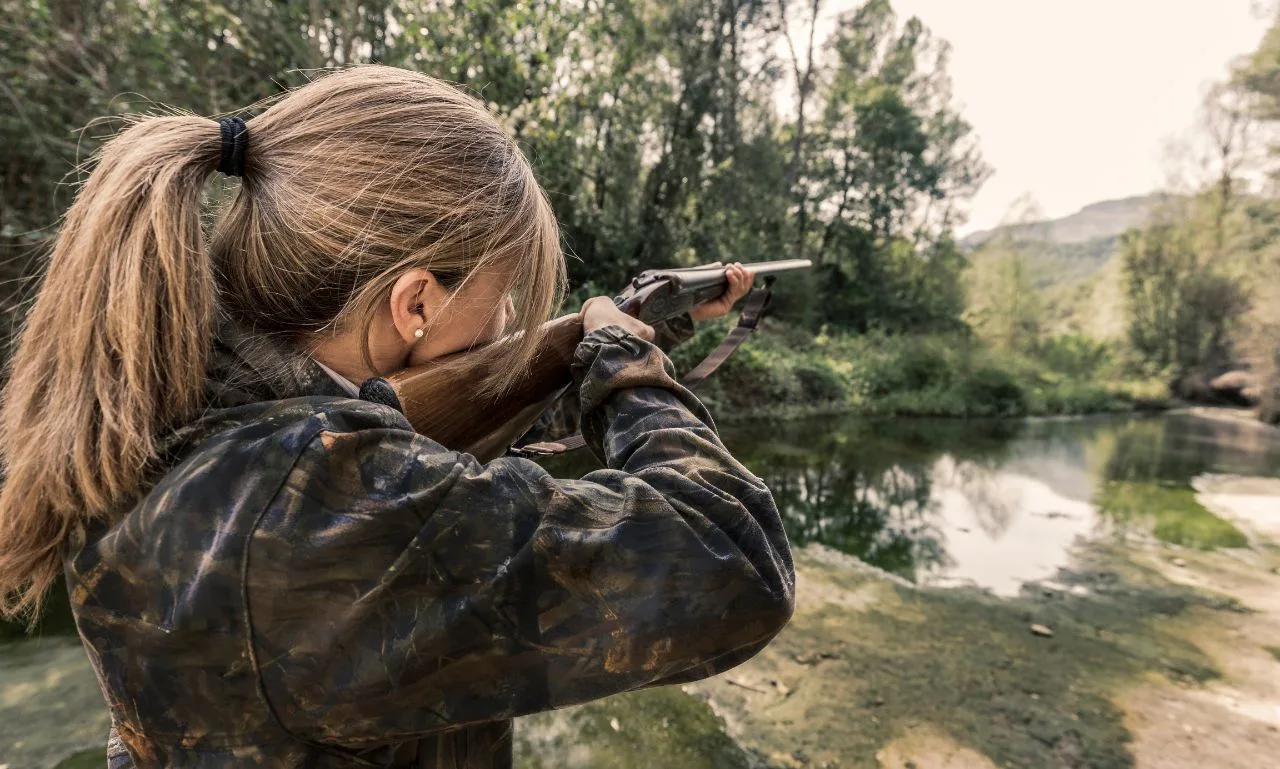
867, 661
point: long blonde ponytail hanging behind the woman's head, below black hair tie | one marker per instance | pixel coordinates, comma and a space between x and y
112, 353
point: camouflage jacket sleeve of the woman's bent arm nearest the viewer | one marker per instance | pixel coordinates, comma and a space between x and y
397, 589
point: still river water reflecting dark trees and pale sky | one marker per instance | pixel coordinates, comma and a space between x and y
989, 503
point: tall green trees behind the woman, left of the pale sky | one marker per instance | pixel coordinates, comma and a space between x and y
652, 126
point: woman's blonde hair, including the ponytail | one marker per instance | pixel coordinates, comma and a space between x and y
350, 181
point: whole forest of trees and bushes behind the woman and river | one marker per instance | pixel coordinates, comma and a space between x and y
693, 131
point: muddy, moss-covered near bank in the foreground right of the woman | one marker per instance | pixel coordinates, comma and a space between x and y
1141, 656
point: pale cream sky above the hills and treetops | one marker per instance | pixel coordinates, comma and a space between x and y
1075, 102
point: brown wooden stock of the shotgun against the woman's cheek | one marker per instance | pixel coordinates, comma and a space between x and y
440, 400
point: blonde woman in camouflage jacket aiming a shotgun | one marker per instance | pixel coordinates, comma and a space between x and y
269, 573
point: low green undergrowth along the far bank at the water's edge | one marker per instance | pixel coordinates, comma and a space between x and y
785, 373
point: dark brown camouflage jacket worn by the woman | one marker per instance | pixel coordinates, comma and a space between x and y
309, 583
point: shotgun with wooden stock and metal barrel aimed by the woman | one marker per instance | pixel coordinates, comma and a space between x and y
436, 397
